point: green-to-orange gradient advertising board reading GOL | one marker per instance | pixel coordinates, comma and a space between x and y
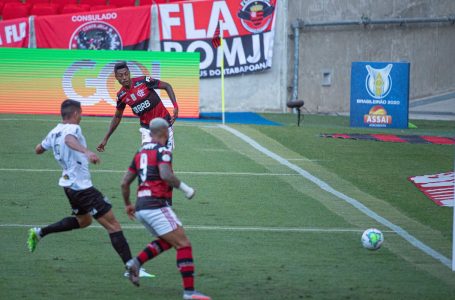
35, 81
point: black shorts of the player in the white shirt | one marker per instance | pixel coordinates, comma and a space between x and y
88, 201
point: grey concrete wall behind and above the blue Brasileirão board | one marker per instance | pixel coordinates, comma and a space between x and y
428, 47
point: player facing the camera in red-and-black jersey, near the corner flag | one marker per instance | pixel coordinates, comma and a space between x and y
139, 93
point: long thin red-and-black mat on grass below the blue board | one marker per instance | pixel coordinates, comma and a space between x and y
412, 139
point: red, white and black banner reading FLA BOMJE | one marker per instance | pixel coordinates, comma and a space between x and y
248, 31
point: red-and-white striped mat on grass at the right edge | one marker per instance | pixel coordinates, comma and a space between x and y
437, 187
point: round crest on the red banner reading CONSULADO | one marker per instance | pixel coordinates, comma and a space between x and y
96, 36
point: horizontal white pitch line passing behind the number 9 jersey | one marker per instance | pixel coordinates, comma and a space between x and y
178, 172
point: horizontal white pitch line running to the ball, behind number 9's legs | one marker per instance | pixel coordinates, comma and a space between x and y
218, 228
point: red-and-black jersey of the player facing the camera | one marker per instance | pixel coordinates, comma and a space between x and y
143, 100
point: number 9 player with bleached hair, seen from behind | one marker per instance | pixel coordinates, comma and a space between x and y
153, 166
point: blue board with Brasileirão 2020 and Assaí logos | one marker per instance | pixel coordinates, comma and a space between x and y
380, 94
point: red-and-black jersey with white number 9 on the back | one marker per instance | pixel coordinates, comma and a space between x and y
152, 192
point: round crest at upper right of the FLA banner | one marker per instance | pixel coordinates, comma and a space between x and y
256, 15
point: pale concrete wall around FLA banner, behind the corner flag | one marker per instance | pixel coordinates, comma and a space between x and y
264, 91
